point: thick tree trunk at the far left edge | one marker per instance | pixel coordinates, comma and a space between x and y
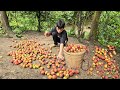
5, 23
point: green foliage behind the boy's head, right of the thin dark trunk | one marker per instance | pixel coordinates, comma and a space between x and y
54, 16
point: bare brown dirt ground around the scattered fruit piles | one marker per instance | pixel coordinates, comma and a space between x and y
10, 71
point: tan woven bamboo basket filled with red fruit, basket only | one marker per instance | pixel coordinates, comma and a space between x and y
74, 60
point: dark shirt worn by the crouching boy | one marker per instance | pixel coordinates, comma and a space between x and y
63, 35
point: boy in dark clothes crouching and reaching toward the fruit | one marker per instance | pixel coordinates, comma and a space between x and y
59, 37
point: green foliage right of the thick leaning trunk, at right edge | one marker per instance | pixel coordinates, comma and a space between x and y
109, 28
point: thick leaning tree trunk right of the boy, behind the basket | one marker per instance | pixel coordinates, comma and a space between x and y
94, 25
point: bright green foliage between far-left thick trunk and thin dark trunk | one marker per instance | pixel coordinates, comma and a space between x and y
22, 20
